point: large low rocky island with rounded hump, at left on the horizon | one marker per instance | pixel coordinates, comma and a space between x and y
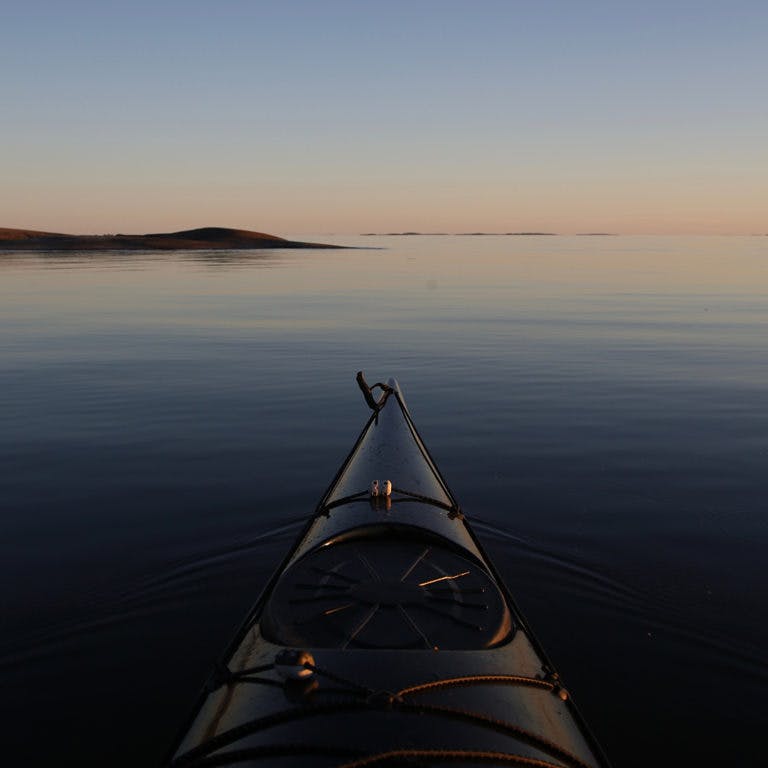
205, 238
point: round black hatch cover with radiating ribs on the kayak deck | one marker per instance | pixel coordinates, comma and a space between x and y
386, 592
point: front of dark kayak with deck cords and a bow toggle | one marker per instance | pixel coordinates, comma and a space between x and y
386, 636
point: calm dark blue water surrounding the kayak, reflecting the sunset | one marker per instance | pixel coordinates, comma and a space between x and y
598, 404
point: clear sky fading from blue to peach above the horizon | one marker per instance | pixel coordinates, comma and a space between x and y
348, 116
